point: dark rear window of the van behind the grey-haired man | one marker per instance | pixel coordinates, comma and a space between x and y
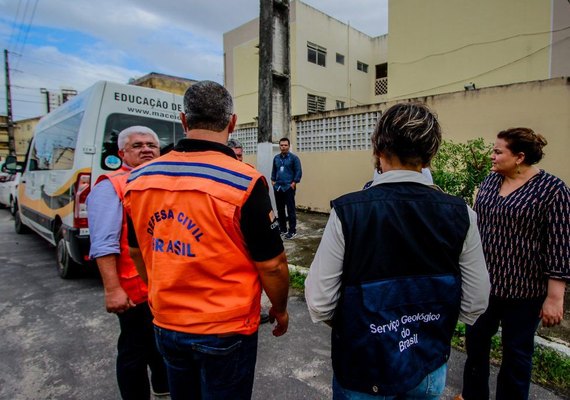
169, 132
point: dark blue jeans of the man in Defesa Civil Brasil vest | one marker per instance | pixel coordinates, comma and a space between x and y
208, 367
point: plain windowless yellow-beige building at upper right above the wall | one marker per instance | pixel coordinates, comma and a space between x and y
447, 46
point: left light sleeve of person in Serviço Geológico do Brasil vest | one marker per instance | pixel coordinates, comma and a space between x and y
322, 286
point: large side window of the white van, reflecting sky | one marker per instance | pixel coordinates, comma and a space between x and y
54, 147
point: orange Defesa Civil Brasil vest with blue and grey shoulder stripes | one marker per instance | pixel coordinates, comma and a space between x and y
186, 211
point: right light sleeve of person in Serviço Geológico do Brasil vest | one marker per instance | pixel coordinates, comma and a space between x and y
475, 285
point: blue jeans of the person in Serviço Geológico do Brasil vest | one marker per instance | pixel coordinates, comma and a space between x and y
430, 388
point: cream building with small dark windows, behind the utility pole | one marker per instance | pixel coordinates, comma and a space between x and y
333, 66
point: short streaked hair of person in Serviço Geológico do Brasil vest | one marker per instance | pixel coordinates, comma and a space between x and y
409, 131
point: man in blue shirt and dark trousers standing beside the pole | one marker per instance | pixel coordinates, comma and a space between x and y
285, 175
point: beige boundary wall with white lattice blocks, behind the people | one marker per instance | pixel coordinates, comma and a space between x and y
335, 149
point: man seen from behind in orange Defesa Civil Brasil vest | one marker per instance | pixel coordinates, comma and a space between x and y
203, 226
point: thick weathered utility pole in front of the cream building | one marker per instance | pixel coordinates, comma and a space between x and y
274, 101
